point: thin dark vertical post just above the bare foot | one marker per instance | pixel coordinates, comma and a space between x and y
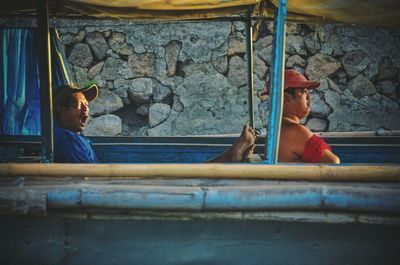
250, 67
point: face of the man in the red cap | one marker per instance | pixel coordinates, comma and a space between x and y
300, 105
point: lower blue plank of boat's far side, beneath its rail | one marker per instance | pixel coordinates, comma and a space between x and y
202, 153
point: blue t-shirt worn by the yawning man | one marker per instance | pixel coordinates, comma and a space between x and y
71, 147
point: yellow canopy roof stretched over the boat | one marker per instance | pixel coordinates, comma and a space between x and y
370, 12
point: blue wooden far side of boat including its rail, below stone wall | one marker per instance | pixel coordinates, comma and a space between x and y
373, 149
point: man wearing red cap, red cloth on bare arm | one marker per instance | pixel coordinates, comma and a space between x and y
297, 142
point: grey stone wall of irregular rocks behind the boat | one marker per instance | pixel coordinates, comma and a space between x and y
190, 78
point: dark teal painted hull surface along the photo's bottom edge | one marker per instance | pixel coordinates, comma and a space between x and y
71, 241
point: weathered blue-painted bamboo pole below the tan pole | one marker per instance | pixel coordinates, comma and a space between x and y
246, 196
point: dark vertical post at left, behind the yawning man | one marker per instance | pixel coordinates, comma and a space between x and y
46, 102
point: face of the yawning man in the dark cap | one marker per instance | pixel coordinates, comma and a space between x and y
75, 116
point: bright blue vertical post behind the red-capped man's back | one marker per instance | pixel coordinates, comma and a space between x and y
277, 82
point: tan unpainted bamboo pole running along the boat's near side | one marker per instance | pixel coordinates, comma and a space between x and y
371, 173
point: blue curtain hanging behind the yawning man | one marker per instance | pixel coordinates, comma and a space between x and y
19, 79
